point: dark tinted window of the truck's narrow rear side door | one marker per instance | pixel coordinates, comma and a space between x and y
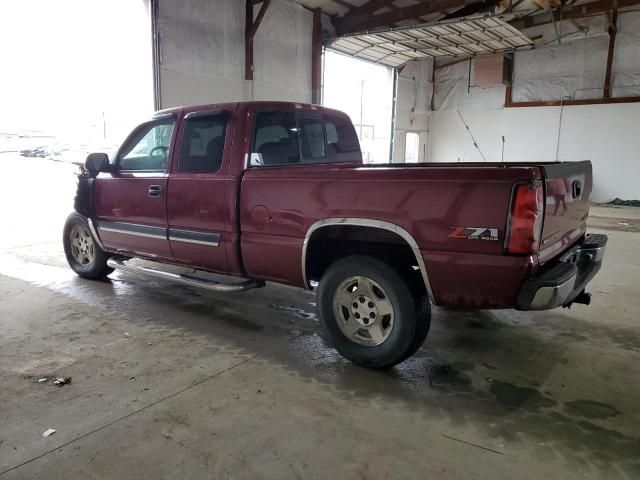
203, 143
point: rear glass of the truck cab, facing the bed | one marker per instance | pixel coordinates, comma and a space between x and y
285, 137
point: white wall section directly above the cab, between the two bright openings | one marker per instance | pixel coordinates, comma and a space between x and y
202, 52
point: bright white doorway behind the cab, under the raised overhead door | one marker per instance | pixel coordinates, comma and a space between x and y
364, 91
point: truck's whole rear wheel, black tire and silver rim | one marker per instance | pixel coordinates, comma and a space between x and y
355, 297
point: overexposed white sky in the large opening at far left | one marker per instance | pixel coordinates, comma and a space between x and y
67, 65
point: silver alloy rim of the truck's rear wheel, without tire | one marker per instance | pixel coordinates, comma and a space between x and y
363, 311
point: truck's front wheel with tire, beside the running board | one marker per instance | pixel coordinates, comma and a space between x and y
84, 255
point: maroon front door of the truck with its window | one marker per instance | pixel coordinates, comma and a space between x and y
130, 201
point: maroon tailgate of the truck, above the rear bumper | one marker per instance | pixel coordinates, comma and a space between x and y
567, 199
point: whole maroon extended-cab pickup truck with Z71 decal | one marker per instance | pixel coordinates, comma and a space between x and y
277, 192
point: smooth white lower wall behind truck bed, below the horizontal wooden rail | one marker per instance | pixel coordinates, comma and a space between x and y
605, 134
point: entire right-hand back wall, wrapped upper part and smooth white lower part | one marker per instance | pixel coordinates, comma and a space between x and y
604, 134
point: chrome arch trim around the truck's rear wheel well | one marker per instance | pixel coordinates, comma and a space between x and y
365, 222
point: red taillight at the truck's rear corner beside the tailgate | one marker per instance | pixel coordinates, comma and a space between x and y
525, 223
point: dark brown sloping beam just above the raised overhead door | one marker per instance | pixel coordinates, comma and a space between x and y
363, 22
